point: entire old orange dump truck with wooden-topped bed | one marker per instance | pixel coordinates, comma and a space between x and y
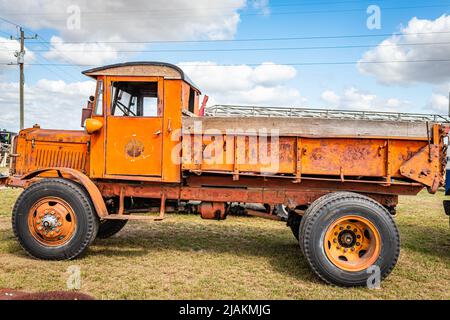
146, 147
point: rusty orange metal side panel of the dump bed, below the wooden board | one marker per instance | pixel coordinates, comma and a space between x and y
377, 161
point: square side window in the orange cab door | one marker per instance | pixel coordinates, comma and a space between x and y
135, 99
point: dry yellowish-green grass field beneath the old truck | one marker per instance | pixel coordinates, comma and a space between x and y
185, 257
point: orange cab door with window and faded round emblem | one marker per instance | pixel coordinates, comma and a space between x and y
134, 129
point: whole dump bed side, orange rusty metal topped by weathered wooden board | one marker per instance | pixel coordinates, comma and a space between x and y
372, 151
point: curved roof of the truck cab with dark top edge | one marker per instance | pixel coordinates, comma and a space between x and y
142, 68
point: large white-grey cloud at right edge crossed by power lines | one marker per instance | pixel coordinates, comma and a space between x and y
403, 47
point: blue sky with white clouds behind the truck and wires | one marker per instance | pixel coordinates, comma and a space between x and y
323, 86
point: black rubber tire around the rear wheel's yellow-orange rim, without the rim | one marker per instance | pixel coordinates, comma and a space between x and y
329, 209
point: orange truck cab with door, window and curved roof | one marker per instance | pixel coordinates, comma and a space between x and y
136, 109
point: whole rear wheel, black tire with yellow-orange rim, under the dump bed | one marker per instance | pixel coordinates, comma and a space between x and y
347, 238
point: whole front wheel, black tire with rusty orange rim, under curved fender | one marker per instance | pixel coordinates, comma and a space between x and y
54, 219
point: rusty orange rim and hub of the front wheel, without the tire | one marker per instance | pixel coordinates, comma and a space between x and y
52, 221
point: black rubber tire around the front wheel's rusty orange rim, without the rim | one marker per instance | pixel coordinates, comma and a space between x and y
87, 221
